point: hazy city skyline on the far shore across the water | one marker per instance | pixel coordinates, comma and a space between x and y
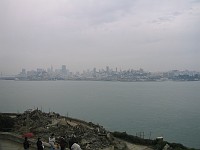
107, 74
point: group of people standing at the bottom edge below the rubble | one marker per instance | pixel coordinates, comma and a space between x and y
61, 145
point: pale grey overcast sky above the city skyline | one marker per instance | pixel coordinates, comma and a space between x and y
156, 35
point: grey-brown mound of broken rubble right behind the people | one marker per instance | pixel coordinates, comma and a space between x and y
89, 135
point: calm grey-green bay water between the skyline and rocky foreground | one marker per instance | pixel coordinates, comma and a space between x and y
168, 109
